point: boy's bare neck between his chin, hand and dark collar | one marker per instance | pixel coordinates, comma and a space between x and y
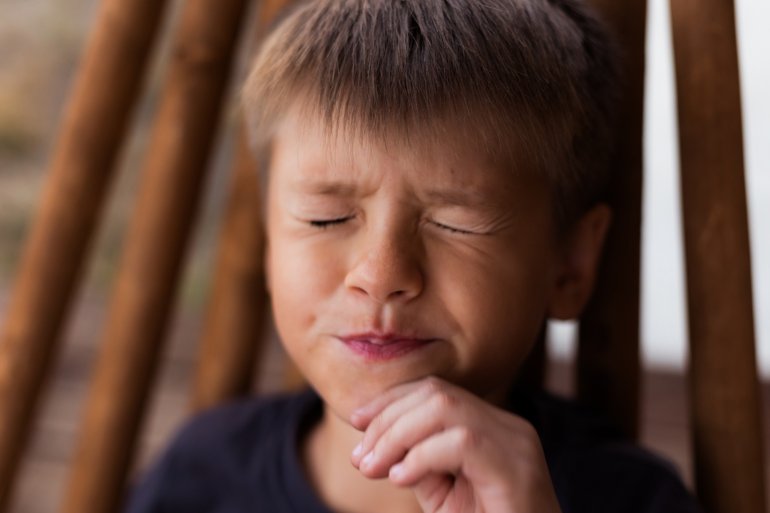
326, 454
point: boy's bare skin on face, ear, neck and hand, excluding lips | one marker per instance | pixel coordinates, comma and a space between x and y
430, 242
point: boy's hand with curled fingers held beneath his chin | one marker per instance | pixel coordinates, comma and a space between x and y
458, 453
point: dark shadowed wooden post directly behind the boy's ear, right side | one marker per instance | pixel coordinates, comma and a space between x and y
608, 353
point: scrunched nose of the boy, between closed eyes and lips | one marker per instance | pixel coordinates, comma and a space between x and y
387, 267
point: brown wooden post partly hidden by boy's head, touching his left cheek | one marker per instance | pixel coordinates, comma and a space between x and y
235, 327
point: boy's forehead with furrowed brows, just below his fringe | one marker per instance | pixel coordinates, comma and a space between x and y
306, 150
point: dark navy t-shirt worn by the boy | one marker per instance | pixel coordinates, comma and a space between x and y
244, 458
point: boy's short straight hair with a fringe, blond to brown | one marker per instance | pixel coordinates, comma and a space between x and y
531, 74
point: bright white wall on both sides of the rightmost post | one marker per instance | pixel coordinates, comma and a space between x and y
663, 291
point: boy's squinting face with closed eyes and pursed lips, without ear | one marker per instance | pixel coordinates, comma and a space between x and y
387, 264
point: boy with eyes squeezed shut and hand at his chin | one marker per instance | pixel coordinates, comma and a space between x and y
435, 176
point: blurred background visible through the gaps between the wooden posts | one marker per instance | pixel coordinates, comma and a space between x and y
40, 46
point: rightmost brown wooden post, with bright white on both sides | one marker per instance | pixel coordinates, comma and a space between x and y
725, 406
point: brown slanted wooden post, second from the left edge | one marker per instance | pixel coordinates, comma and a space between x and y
172, 183
